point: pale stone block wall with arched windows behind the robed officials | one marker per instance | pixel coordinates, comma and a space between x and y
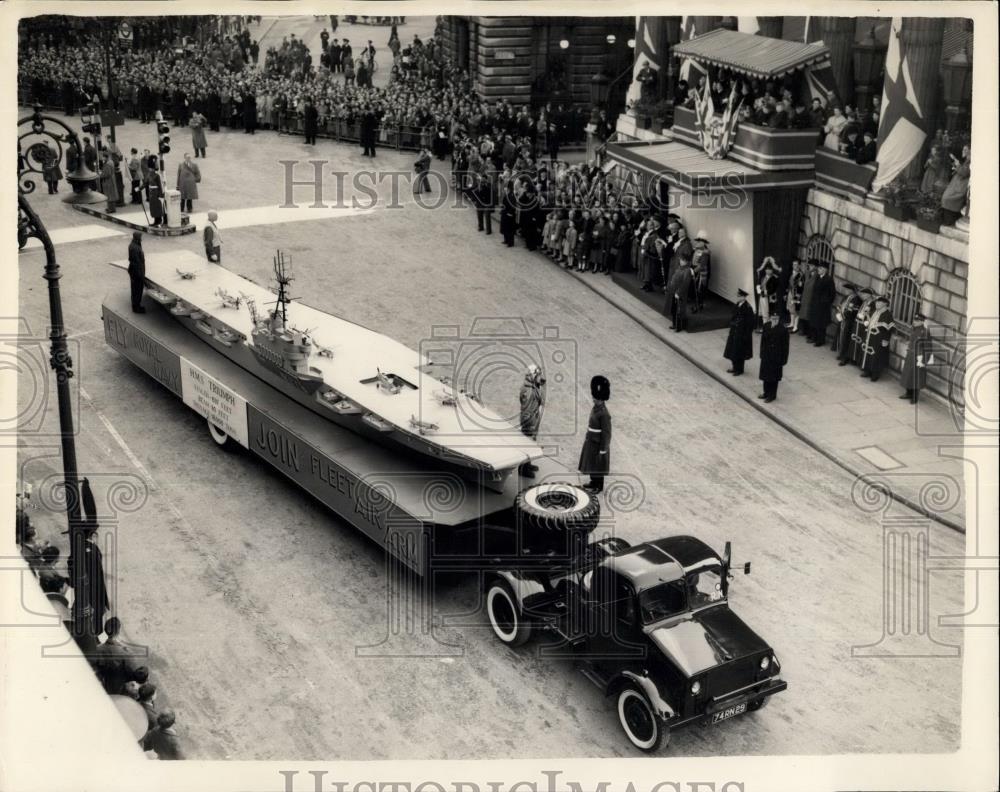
868, 246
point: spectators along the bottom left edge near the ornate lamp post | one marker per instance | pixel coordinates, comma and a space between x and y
120, 667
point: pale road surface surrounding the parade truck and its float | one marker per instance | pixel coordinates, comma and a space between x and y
257, 603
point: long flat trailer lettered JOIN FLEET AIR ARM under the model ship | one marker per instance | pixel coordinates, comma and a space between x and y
400, 503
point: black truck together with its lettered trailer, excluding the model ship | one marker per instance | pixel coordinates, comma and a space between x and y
649, 624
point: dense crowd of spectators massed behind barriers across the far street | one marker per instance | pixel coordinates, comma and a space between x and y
426, 94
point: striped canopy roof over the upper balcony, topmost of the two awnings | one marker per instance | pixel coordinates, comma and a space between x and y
750, 54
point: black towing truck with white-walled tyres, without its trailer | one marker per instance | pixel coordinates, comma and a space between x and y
650, 625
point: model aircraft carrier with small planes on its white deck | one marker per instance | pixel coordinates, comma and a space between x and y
348, 373
